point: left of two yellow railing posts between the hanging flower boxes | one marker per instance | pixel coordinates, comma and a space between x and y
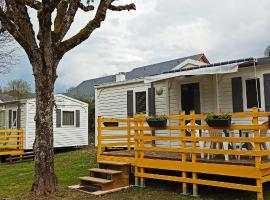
182, 123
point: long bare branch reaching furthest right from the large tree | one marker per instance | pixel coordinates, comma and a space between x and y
84, 33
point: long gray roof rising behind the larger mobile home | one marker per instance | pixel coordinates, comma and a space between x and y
86, 88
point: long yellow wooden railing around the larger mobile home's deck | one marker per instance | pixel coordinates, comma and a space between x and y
137, 135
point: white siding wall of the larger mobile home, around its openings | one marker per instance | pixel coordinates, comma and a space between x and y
111, 102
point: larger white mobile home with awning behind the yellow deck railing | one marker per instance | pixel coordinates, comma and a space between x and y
232, 86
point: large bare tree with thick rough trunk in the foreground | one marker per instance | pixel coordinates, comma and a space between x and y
45, 50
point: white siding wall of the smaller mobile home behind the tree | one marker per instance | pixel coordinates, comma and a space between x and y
63, 136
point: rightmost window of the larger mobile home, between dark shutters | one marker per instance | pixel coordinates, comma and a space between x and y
253, 94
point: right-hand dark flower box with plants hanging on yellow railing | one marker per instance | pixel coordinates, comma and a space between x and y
218, 120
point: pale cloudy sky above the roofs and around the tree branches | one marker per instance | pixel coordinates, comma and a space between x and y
159, 30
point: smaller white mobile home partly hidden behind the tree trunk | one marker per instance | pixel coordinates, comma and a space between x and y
70, 120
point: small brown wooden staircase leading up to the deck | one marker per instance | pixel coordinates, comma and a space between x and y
109, 177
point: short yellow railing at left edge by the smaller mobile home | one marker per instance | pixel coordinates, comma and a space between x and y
11, 141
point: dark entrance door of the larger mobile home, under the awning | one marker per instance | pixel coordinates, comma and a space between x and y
190, 98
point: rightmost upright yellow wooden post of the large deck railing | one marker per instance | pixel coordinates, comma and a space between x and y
258, 158
